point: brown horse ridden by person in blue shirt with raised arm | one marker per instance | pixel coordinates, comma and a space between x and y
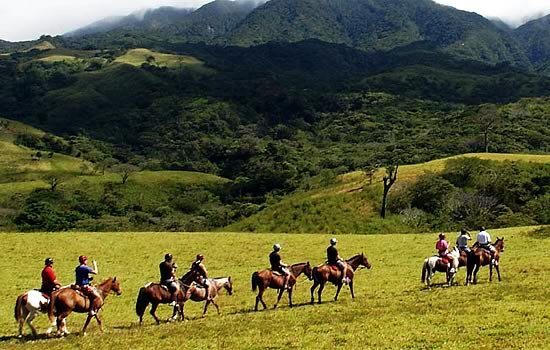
67, 300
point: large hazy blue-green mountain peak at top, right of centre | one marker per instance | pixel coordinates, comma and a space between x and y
379, 25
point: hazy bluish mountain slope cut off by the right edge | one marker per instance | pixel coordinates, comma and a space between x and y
535, 38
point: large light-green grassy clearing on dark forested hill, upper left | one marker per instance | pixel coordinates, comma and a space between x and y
137, 57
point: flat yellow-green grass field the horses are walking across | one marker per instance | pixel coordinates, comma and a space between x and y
391, 310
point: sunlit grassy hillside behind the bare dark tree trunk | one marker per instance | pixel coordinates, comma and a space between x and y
350, 205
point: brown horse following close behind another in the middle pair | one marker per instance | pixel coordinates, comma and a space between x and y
263, 279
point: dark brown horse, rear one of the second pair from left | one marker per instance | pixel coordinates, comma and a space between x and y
155, 294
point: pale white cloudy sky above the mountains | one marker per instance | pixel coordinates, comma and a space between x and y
28, 19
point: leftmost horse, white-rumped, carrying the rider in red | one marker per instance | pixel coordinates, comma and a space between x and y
29, 305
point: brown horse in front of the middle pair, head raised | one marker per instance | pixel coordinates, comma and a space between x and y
328, 273
